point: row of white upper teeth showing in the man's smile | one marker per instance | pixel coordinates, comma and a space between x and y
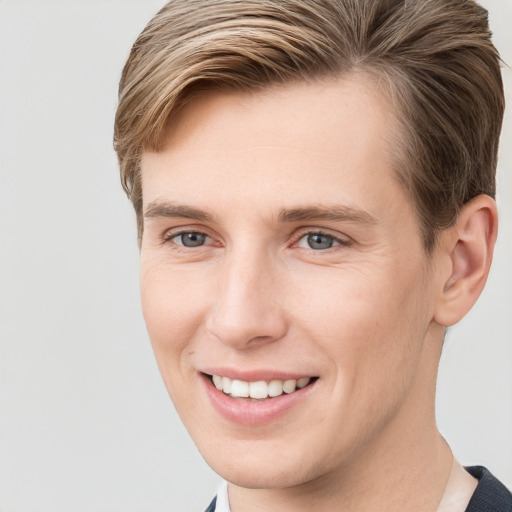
258, 390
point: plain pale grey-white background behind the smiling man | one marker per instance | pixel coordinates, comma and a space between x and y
86, 424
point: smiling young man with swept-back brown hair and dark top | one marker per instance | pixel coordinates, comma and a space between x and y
314, 183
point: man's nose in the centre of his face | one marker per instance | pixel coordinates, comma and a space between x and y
246, 310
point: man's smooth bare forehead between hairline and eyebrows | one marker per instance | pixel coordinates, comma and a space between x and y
325, 140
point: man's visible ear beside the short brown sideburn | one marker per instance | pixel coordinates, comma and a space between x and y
466, 252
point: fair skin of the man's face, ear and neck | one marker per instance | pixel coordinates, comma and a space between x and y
247, 274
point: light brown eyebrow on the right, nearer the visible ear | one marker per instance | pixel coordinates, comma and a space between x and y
331, 213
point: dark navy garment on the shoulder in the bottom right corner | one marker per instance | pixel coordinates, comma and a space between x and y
490, 494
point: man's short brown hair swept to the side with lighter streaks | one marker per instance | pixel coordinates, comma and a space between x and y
435, 58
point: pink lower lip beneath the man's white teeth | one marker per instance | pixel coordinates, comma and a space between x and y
253, 412
